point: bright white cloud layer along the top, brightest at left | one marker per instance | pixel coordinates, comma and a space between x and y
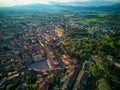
22, 2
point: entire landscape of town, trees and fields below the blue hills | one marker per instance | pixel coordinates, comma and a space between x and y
59, 49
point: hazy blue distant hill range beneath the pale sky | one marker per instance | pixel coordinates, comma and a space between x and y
61, 7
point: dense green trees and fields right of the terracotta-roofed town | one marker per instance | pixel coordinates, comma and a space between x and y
101, 46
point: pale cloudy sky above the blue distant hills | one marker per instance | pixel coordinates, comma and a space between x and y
7, 3
